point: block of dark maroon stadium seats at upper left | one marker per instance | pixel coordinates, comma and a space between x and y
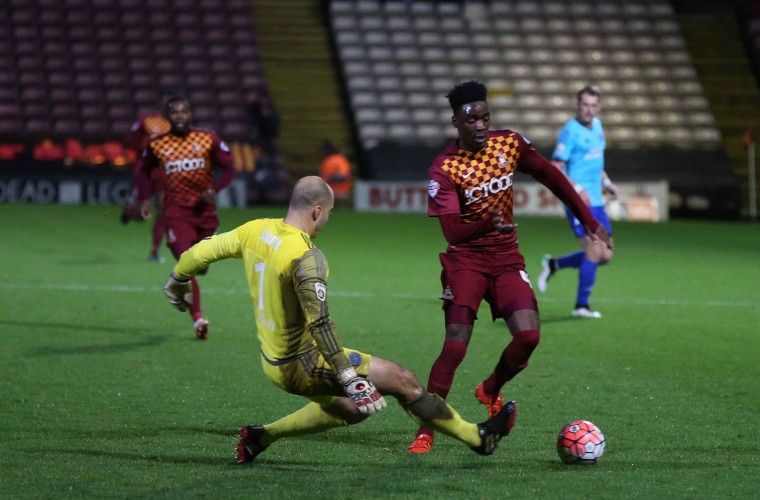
91, 67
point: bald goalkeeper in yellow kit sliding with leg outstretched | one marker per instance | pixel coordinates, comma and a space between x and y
301, 351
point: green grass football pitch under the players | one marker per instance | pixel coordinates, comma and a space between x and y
106, 393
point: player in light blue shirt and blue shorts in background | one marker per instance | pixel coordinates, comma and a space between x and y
580, 155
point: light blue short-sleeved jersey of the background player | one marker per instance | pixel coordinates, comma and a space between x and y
582, 150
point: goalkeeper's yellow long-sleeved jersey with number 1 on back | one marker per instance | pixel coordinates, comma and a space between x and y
287, 281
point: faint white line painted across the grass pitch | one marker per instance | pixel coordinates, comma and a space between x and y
80, 287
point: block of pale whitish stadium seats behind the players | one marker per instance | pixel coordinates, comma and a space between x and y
533, 55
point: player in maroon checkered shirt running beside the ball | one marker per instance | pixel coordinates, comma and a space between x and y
470, 191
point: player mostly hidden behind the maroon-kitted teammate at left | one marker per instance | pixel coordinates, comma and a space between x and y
142, 131
